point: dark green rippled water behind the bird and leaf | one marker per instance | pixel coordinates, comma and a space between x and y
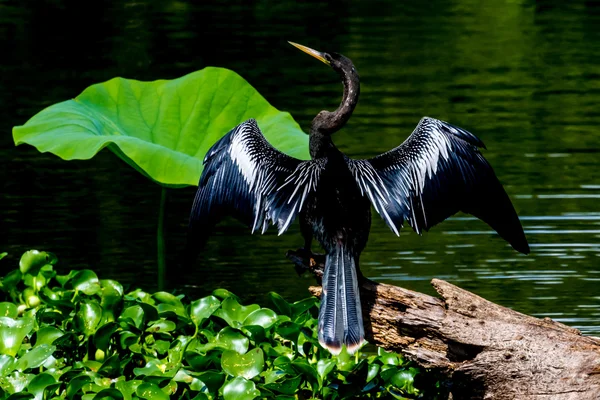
522, 76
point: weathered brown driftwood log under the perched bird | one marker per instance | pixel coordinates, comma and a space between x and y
487, 351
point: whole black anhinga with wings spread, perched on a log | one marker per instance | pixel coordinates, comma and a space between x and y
435, 173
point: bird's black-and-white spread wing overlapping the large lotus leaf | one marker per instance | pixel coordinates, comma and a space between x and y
246, 177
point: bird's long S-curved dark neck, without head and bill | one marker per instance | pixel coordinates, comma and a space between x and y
327, 122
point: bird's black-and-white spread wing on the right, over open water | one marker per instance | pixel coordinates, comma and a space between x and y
435, 173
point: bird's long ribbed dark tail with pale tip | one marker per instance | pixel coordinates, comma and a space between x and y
340, 316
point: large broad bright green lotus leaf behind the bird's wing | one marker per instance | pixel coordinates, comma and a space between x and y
162, 128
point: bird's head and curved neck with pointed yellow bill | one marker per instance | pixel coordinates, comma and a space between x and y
327, 122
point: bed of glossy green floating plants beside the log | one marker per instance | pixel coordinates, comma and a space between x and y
74, 335
